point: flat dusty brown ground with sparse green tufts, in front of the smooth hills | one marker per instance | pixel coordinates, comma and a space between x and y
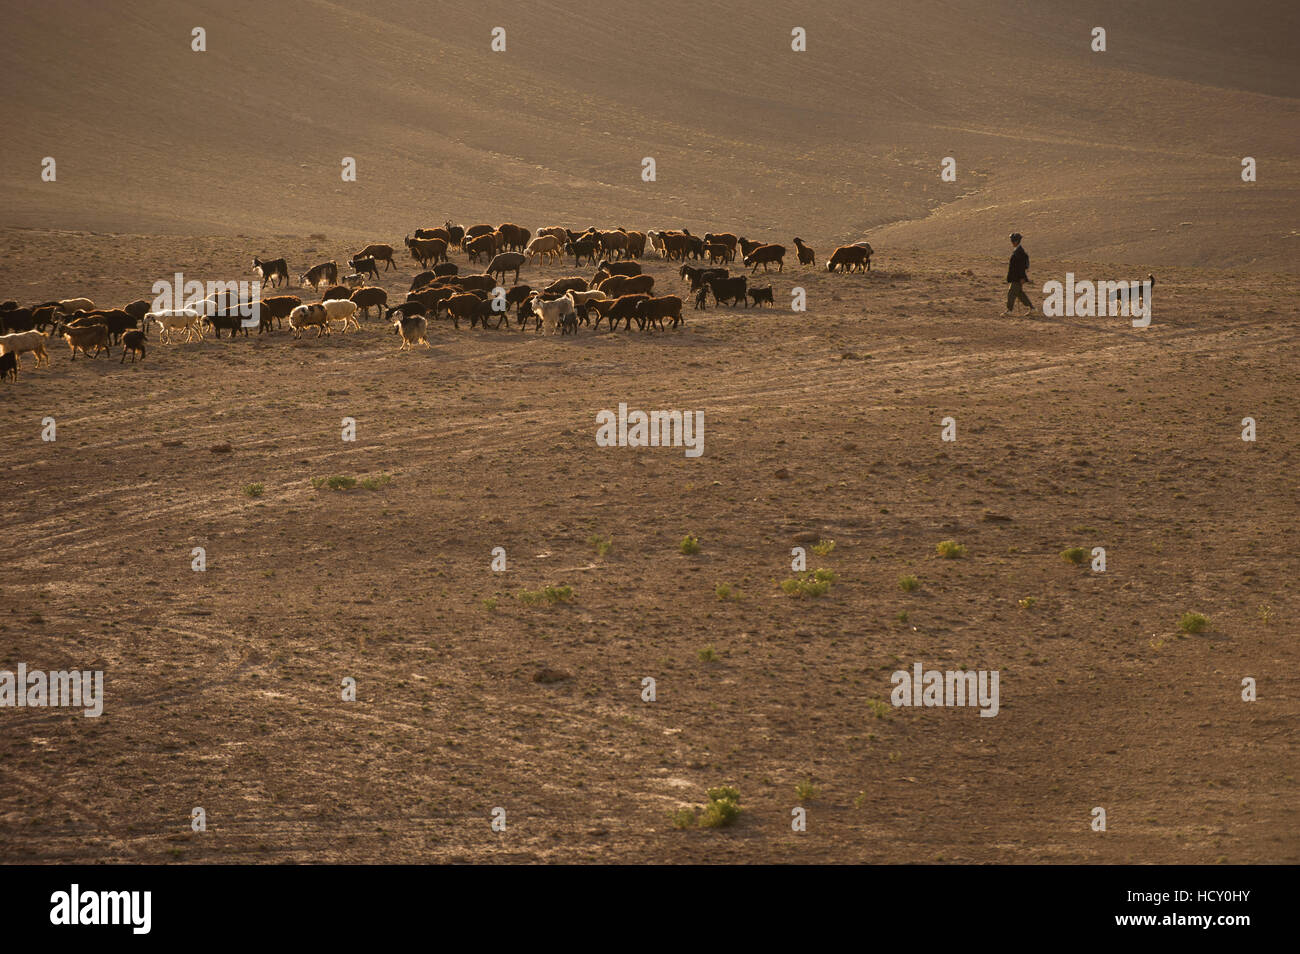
224, 687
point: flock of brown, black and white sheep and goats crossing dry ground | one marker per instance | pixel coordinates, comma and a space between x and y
618, 292
